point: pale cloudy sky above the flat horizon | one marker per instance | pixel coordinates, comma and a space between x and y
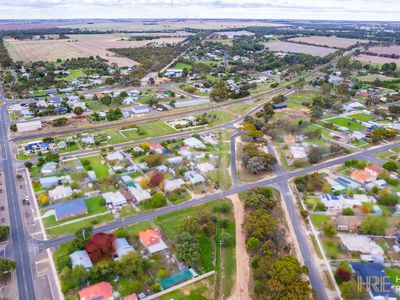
378, 10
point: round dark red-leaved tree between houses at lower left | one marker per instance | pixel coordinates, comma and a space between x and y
100, 246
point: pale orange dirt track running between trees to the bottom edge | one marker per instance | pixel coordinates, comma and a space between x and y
241, 287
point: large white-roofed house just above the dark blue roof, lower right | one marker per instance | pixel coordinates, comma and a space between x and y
360, 243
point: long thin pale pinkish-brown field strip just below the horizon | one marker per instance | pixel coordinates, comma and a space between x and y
164, 25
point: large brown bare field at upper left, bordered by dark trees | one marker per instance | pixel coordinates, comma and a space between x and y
79, 46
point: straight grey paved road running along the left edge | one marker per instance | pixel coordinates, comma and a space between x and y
19, 241
